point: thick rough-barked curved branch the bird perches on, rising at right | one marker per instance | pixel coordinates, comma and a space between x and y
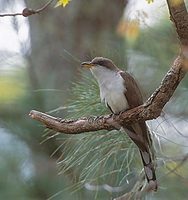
153, 106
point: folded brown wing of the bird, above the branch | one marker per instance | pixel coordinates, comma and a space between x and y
132, 93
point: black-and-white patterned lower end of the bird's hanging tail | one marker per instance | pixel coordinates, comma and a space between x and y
149, 169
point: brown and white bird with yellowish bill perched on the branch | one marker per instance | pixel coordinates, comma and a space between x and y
120, 92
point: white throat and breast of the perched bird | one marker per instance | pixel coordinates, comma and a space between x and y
112, 88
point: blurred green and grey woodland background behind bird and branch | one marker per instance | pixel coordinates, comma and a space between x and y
40, 60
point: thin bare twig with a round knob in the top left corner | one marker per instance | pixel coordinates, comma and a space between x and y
27, 11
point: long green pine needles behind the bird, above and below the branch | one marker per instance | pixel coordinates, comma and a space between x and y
98, 158
